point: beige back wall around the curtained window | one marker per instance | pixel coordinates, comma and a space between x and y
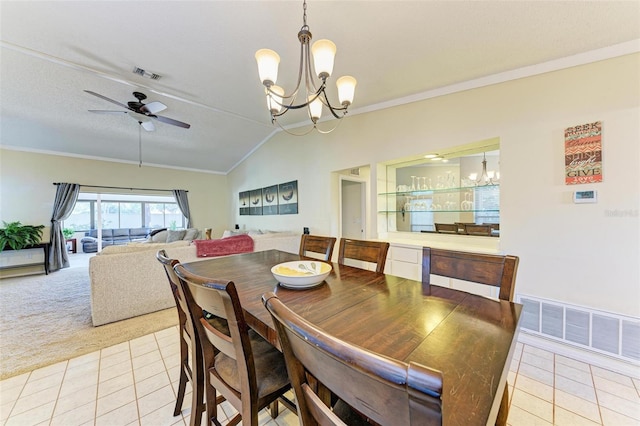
27, 191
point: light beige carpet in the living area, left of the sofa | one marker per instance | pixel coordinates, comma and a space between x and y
46, 319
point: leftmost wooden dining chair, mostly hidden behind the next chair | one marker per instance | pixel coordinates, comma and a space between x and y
190, 361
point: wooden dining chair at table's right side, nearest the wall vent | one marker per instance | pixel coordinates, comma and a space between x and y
489, 269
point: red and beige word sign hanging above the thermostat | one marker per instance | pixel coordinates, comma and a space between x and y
583, 153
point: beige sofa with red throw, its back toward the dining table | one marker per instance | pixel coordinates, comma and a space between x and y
128, 280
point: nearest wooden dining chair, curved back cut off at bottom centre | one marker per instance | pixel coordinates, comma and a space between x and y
368, 385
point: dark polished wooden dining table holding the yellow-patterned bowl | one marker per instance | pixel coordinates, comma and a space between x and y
469, 338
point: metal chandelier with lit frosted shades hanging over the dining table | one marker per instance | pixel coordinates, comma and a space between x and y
313, 95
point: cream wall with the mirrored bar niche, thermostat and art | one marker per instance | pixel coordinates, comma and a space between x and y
579, 254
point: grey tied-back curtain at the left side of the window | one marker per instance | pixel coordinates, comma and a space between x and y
66, 196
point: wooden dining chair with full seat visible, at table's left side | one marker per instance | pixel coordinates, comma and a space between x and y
243, 367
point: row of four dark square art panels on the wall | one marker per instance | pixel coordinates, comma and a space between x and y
270, 200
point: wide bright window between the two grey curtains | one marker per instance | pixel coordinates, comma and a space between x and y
125, 211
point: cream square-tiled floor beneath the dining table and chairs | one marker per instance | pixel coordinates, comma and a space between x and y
135, 383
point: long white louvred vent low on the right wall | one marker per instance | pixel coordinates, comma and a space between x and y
603, 332
